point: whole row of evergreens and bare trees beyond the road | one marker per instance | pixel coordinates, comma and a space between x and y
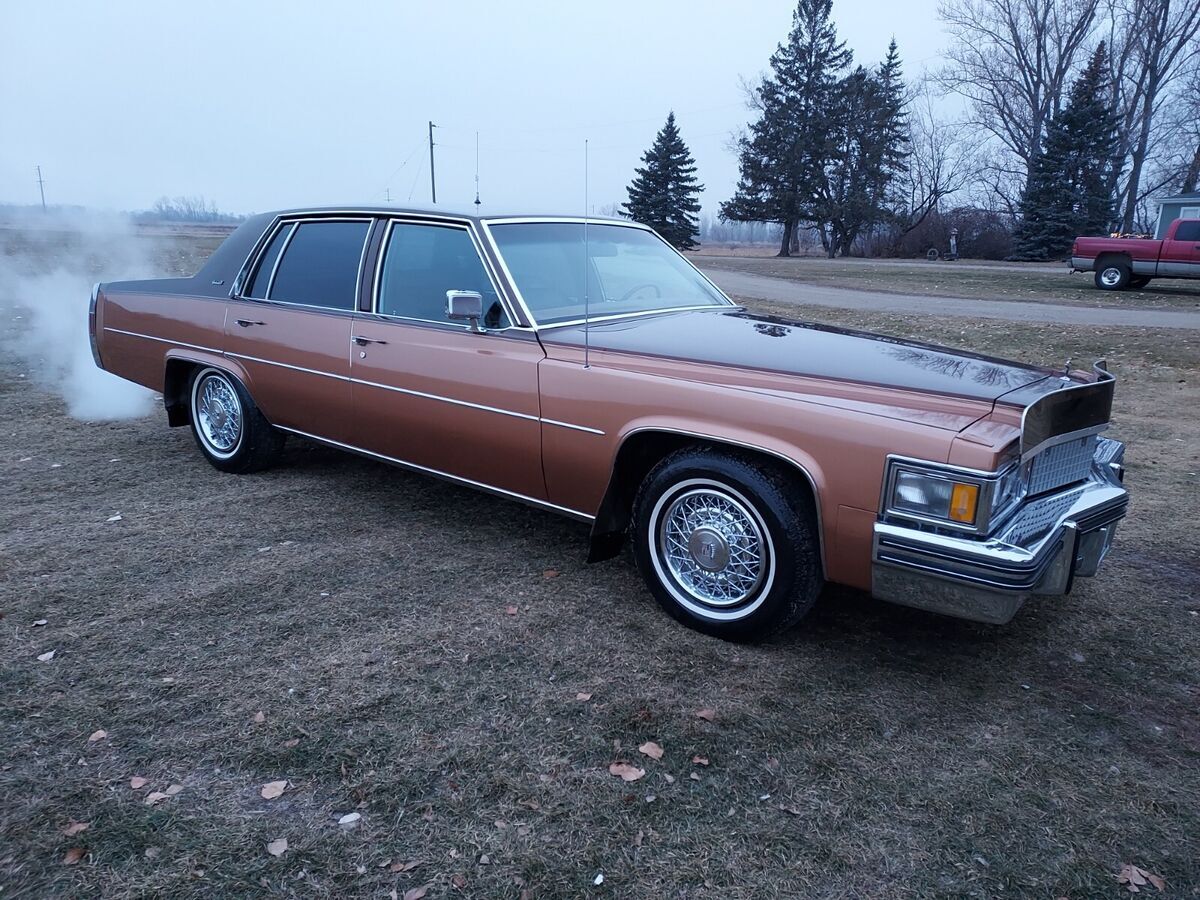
1077, 113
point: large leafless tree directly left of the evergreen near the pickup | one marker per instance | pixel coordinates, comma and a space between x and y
1011, 61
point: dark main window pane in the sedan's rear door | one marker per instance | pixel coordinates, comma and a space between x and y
321, 267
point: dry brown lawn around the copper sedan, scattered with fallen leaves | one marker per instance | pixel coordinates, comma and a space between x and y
445, 665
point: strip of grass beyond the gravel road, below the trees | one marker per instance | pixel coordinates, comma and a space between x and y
1001, 281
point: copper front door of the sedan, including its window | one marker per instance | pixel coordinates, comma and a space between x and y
434, 393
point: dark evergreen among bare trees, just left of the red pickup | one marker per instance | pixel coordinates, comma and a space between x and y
1069, 189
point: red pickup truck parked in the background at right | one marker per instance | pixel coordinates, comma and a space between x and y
1124, 263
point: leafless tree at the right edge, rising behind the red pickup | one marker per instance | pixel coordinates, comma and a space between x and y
1155, 49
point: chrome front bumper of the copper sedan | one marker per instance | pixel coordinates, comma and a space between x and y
1046, 544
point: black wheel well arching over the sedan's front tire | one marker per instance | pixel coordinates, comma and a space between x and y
641, 453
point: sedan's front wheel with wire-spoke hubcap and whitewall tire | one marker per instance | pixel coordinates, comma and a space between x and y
728, 544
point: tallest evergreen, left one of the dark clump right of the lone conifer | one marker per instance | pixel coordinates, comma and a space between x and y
785, 154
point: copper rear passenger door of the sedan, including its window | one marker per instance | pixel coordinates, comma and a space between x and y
291, 328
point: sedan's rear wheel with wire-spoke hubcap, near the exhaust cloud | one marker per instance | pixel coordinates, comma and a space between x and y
231, 431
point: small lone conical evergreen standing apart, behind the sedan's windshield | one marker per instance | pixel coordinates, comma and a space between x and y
664, 193
